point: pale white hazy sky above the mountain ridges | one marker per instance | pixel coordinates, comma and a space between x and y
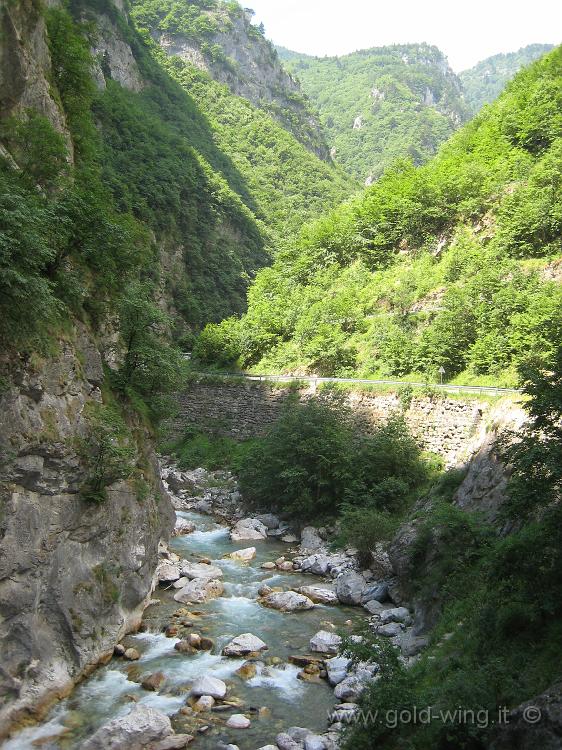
466, 31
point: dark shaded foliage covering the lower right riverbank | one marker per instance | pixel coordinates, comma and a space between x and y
501, 595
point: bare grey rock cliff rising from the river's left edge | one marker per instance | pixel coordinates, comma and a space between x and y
74, 576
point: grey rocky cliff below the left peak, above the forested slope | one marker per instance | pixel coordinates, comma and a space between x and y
250, 67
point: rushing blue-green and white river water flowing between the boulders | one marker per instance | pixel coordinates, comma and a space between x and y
285, 699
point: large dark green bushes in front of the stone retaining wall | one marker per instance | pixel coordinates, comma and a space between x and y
316, 458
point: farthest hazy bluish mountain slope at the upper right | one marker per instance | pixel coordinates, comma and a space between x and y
485, 81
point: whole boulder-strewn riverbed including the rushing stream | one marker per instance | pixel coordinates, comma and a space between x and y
240, 646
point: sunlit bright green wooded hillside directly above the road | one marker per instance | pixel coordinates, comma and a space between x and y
454, 264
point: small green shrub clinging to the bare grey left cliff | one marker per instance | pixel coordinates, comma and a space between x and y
107, 451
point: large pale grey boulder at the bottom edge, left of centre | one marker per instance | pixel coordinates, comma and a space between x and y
139, 728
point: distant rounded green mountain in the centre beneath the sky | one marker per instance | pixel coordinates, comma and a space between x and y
383, 103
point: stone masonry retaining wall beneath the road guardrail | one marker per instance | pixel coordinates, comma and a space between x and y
449, 427
